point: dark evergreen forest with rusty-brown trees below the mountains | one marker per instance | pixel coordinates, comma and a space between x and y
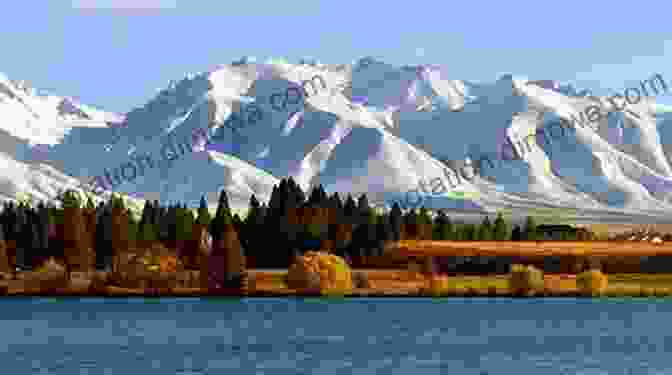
84, 236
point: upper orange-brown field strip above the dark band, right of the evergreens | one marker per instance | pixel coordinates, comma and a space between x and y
528, 248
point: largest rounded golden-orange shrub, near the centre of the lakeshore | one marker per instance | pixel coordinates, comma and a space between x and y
320, 272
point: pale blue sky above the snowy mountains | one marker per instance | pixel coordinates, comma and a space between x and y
115, 54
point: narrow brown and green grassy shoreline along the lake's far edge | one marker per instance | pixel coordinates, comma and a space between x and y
380, 283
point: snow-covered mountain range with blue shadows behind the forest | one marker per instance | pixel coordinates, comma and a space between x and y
413, 134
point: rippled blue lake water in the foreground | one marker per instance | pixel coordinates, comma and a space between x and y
356, 336
